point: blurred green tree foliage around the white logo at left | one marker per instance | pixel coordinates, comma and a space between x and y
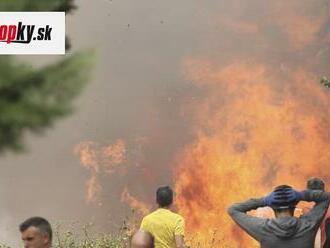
31, 99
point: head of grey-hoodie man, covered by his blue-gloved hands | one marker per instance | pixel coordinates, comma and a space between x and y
283, 200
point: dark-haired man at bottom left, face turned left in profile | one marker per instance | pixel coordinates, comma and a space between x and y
36, 233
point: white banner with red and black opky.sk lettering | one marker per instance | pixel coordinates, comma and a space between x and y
32, 33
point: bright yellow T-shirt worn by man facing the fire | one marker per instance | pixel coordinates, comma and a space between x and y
163, 226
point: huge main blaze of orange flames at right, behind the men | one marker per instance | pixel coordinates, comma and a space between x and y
252, 133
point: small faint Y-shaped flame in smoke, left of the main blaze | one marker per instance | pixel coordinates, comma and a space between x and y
98, 161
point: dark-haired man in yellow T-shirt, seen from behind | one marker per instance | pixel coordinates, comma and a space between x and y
166, 227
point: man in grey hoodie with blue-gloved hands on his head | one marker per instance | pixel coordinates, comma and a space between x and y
285, 230
